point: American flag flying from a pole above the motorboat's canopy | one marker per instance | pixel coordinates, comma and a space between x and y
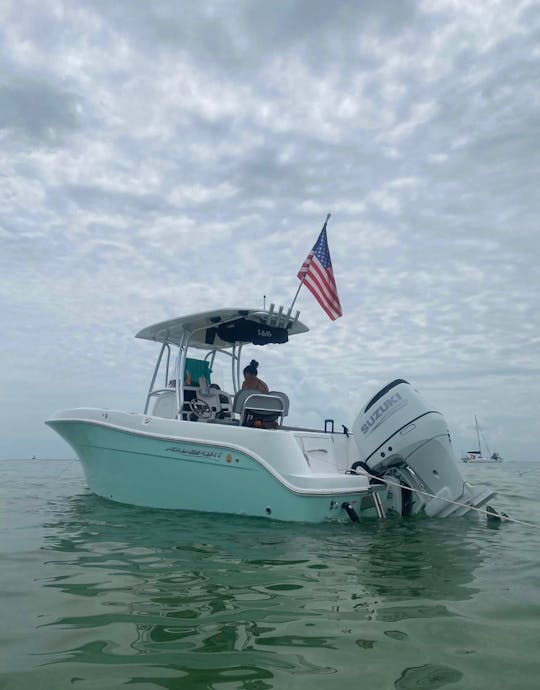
317, 275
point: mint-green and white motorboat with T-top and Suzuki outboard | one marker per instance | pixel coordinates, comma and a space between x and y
201, 446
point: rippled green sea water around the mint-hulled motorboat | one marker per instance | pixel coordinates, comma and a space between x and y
99, 595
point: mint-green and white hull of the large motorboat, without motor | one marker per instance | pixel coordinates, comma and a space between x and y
162, 463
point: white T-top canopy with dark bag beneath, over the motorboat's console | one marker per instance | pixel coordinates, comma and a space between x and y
221, 328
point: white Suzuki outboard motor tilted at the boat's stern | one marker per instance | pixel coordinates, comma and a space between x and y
402, 439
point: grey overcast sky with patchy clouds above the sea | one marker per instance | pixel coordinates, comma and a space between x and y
161, 158
